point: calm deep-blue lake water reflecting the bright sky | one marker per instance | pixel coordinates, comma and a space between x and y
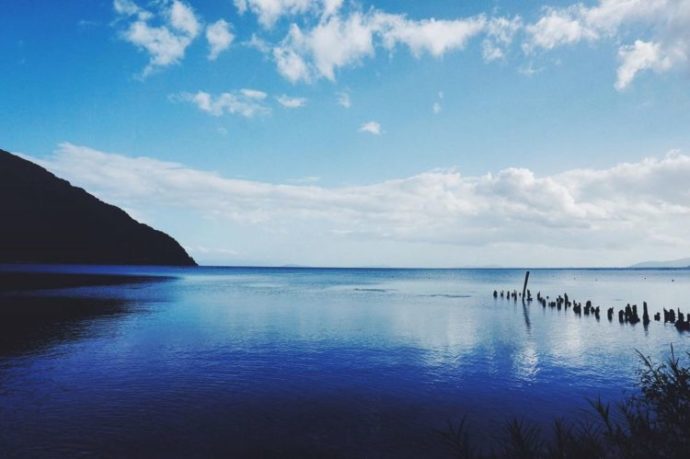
314, 362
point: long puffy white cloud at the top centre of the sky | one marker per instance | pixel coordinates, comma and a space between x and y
345, 38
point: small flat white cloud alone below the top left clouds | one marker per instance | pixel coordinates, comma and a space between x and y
246, 102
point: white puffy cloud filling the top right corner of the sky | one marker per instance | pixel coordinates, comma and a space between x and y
664, 21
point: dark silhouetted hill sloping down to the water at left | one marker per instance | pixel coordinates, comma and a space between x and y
44, 219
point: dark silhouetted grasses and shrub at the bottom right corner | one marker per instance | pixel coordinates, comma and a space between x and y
655, 423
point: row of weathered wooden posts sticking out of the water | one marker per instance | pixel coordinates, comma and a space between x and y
628, 315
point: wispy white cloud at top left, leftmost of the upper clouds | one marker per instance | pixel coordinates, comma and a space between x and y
166, 43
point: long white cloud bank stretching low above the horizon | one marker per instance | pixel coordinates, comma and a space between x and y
644, 203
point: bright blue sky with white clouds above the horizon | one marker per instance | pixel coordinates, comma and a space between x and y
436, 133
